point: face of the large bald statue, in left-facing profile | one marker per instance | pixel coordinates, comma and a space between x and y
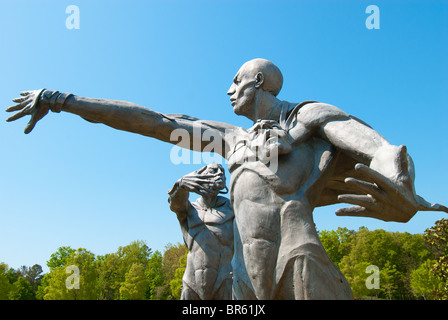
242, 93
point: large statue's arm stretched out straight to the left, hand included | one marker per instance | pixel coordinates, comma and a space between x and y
124, 116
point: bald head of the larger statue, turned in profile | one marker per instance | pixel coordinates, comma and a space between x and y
256, 74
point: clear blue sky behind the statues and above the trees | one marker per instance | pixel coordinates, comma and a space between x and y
73, 183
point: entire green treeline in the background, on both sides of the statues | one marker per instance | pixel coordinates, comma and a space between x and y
407, 266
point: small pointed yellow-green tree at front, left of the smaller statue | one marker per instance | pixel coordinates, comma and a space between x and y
135, 285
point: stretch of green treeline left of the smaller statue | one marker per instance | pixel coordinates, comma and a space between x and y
133, 272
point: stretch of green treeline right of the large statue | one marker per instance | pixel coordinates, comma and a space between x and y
407, 266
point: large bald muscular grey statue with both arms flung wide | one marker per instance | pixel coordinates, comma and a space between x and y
296, 157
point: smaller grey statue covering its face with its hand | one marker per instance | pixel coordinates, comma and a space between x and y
207, 228
